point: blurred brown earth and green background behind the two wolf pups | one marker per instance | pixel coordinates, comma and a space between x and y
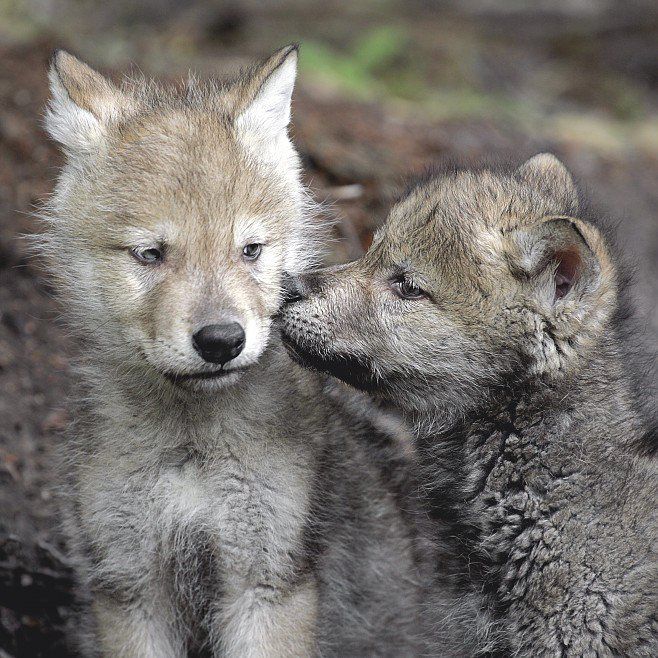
385, 89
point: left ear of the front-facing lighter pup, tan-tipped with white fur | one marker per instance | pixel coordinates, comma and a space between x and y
83, 103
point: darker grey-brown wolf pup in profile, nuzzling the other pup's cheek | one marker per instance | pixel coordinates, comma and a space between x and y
487, 311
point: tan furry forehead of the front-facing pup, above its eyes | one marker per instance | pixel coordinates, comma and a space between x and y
187, 164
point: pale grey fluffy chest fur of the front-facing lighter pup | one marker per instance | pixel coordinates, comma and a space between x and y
221, 517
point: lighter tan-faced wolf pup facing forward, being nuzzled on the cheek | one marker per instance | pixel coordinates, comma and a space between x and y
220, 502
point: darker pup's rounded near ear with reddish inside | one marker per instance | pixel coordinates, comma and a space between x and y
568, 284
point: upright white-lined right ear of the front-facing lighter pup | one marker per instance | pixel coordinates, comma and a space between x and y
265, 107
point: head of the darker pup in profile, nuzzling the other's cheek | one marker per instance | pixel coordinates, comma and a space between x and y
477, 280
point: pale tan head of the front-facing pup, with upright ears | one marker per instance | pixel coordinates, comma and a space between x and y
177, 211
